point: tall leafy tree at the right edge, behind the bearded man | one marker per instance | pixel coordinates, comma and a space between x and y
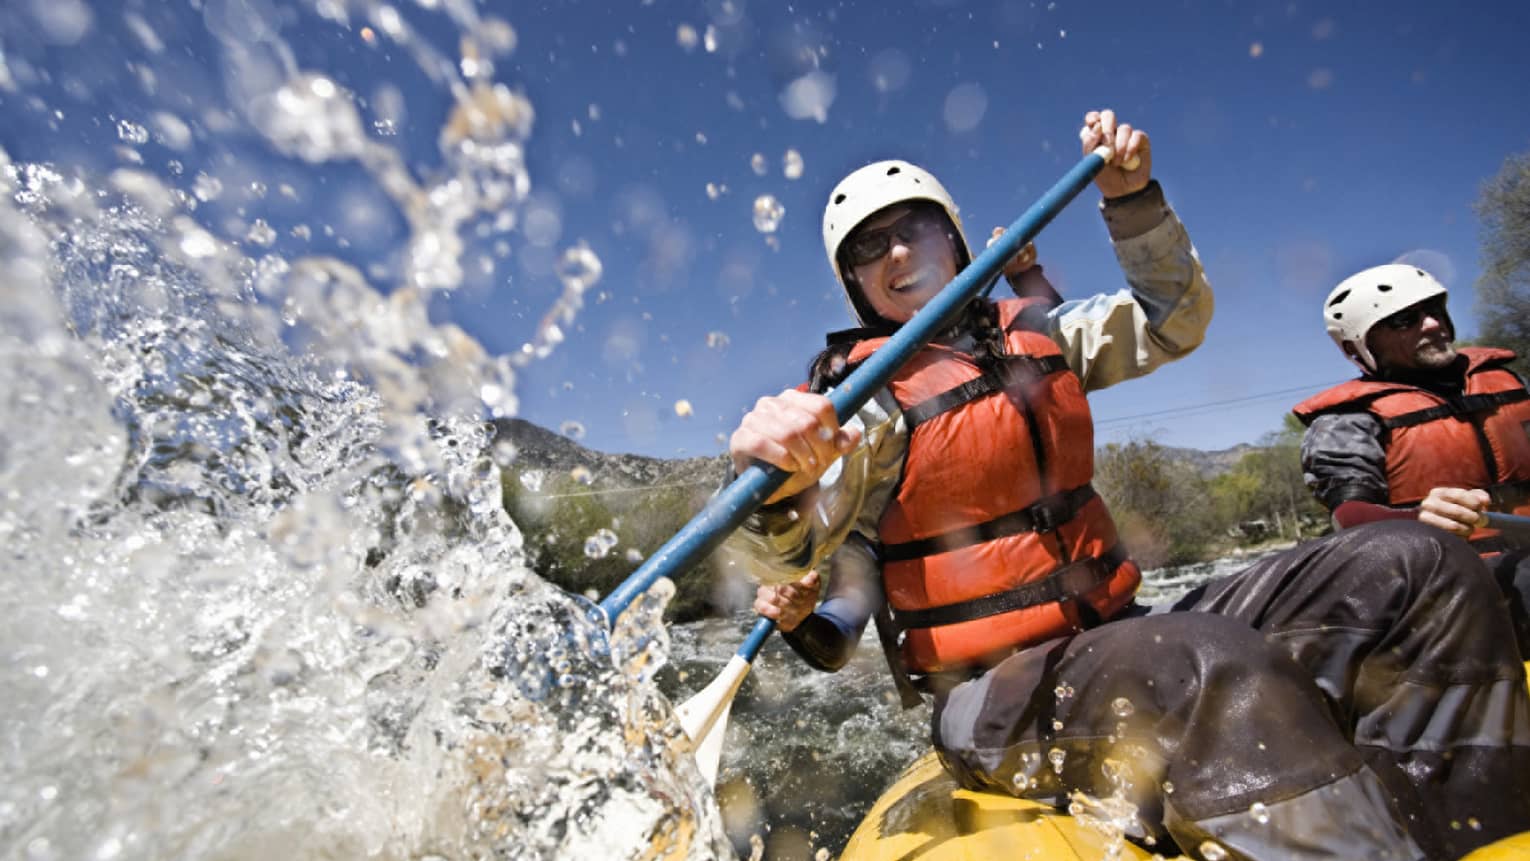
1503, 291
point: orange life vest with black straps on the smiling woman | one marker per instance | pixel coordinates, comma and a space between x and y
995, 539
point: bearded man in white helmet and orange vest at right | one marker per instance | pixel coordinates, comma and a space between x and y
1428, 432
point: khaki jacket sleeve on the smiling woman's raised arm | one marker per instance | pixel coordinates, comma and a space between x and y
1162, 317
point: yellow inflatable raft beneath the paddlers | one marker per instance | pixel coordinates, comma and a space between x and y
926, 817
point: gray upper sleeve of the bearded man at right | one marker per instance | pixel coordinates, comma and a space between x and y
1344, 460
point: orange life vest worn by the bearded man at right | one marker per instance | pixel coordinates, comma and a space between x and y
1480, 440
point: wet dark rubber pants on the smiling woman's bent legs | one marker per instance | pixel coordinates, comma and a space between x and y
1353, 698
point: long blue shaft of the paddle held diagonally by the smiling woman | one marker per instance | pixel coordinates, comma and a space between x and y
737, 502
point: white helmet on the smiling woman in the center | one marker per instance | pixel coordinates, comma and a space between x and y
868, 192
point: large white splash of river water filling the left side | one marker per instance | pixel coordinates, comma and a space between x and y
265, 599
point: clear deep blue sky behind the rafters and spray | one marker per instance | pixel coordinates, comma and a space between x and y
1298, 141
